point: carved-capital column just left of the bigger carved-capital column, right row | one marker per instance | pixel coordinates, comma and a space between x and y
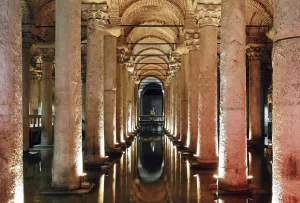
192, 40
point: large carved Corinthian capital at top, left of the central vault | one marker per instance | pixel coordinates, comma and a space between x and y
95, 14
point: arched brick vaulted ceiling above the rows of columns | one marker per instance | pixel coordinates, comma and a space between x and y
259, 18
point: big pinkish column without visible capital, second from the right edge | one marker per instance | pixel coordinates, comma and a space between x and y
233, 162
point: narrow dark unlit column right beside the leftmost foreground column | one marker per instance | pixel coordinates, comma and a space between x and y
26, 84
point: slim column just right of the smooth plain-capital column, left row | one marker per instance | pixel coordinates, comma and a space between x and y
119, 110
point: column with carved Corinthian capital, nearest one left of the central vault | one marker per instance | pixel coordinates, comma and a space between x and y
94, 112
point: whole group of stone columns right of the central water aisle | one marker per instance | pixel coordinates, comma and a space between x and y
202, 96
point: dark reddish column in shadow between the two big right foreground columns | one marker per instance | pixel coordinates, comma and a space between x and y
255, 128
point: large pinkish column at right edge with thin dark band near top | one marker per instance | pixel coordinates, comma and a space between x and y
286, 105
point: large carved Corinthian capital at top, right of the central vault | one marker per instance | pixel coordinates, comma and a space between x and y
208, 12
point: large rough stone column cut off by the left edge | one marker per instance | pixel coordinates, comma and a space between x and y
11, 133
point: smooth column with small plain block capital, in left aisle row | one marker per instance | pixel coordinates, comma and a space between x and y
110, 87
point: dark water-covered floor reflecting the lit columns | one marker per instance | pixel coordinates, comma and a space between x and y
151, 170
